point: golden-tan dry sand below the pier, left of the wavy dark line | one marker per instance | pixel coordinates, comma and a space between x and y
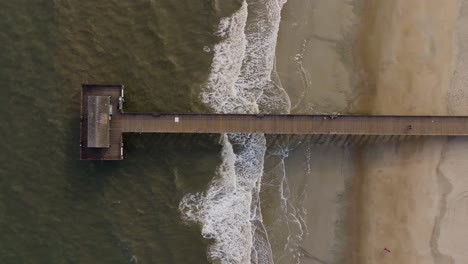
396, 201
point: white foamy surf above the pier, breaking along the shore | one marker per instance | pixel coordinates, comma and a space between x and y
244, 60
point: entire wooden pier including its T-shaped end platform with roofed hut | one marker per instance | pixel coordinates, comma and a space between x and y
121, 122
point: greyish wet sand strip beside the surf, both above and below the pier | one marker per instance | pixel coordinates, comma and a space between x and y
315, 65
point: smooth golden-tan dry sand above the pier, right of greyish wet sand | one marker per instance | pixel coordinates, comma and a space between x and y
407, 50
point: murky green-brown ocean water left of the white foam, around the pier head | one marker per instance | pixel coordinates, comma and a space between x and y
57, 209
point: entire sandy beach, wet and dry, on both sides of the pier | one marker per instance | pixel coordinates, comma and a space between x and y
379, 57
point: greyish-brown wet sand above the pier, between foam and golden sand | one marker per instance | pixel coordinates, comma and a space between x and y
314, 66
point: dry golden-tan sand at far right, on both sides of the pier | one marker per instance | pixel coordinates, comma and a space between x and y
408, 50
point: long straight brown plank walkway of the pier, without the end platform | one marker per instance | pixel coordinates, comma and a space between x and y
296, 124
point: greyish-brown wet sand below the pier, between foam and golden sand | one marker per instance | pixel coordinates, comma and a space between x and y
319, 175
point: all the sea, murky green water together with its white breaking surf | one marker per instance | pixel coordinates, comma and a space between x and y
175, 198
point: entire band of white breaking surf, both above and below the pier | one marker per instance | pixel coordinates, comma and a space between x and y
229, 211
